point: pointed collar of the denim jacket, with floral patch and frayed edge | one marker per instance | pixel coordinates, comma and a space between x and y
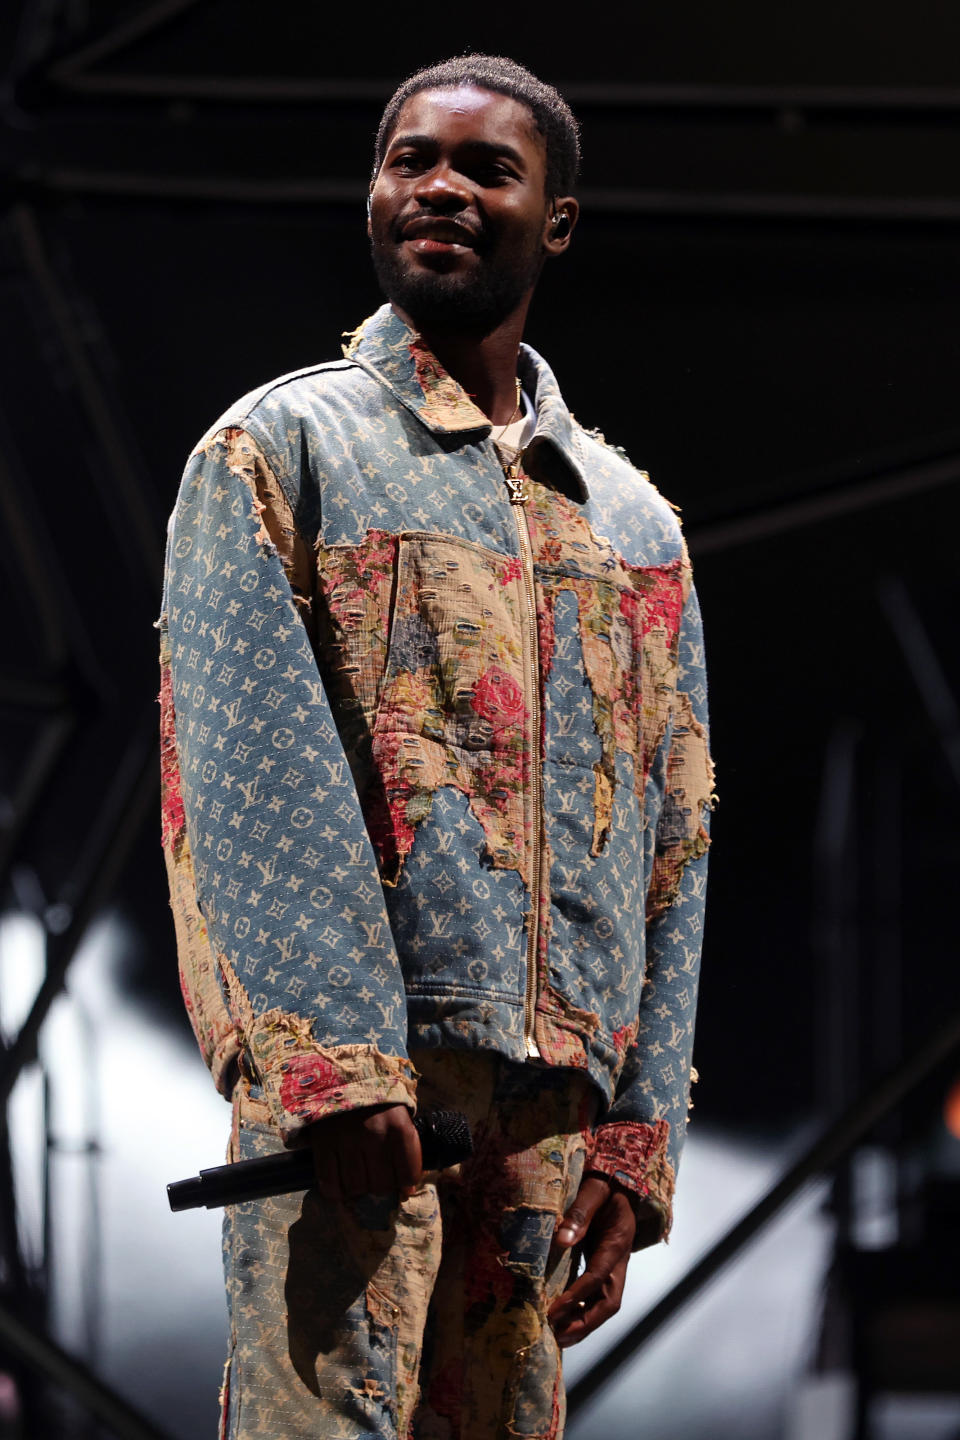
394, 355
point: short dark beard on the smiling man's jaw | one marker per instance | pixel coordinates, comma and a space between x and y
451, 302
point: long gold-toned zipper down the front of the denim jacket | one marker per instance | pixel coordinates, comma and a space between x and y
535, 790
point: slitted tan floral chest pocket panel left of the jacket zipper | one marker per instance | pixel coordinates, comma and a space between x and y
451, 709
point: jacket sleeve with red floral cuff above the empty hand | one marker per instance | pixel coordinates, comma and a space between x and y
643, 1134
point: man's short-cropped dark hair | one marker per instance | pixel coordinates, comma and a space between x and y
552, 116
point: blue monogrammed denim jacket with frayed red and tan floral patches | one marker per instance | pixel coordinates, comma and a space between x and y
435, 762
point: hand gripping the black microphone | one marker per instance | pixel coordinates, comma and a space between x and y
372, 1151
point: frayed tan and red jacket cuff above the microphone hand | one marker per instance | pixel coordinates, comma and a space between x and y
319, 1081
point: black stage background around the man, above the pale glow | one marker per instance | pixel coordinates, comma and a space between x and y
762, 306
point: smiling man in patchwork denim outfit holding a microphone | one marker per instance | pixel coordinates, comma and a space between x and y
435, 793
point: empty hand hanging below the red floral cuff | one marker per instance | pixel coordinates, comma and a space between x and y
602, 1222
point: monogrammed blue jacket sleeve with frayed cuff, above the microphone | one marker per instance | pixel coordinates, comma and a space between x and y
290, 961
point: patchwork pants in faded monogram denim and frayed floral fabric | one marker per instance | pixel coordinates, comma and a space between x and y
421, 1323
